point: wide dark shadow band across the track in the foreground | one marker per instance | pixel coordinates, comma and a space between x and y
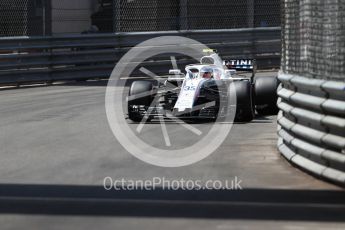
253, 204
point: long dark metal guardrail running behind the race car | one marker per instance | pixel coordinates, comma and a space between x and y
56, 58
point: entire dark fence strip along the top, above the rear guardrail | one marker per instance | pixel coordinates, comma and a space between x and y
51, 17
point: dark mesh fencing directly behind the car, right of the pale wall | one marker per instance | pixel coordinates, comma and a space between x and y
156, 15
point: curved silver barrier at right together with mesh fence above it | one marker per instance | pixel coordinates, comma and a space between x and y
311, 124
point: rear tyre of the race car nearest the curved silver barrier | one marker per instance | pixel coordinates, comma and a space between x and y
265, 88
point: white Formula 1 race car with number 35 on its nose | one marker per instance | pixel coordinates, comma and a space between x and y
203, 92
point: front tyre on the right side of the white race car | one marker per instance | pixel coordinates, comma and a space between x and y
244, 104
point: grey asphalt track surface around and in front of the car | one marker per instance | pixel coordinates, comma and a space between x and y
57, 147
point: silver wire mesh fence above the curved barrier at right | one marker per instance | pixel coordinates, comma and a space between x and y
314, 38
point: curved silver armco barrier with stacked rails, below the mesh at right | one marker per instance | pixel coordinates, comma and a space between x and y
311, 125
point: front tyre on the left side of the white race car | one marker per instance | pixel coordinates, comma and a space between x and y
140, 97
